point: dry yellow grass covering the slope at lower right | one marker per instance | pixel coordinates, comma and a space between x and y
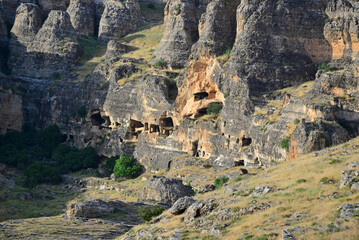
297, 190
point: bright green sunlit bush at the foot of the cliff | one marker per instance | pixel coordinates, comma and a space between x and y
127, 167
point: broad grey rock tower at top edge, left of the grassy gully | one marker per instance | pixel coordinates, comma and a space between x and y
119, 18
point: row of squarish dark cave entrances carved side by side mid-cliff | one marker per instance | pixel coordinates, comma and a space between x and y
164, 127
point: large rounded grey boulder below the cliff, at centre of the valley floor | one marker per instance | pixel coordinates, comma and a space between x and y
165, 190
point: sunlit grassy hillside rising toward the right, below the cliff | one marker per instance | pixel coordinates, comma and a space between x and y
304, 196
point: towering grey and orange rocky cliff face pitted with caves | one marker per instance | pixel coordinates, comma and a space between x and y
257, 59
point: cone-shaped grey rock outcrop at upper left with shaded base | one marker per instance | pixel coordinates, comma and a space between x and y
53, 51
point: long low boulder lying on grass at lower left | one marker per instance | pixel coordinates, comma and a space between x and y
89, 209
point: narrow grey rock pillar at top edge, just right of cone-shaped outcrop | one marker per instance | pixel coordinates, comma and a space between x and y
82, 16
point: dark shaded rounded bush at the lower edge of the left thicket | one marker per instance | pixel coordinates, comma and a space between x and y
38, 173
